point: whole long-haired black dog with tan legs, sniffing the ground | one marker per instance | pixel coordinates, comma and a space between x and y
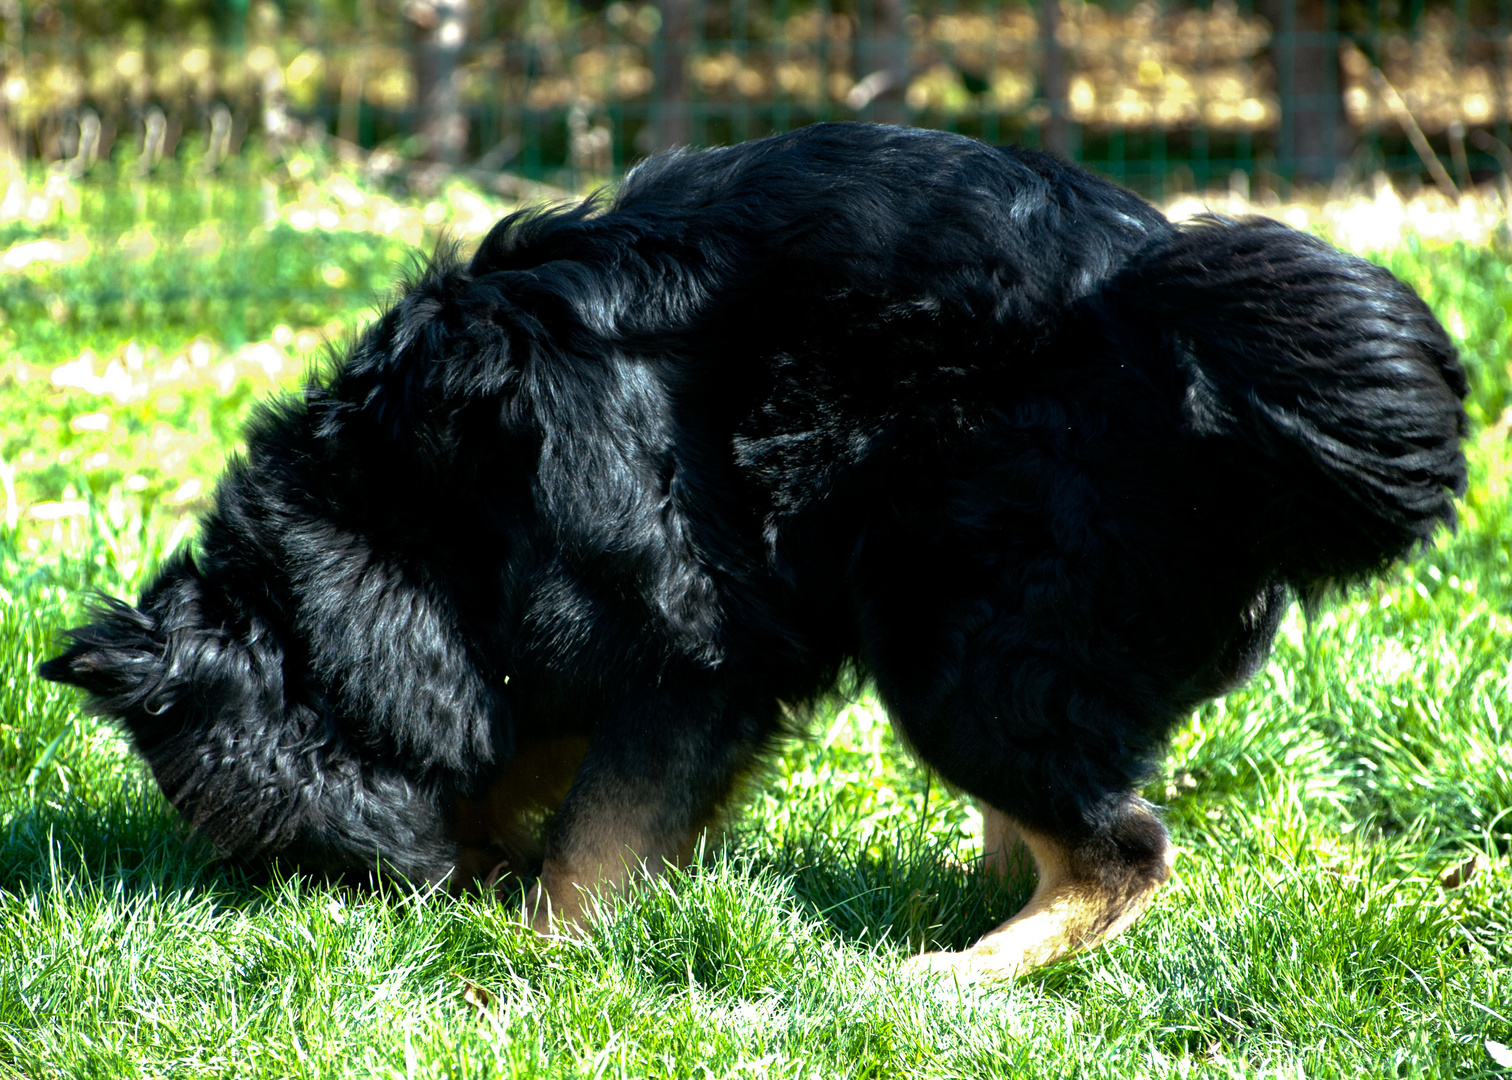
524, 586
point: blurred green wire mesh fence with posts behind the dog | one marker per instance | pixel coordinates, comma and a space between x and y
1271, 93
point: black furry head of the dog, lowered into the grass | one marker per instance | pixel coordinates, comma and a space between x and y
202, 692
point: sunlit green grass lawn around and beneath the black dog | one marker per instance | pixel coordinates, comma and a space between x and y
1309, 931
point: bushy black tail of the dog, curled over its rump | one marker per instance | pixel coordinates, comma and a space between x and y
1322, 379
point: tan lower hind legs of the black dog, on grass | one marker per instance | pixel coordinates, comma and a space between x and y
1088, 893
